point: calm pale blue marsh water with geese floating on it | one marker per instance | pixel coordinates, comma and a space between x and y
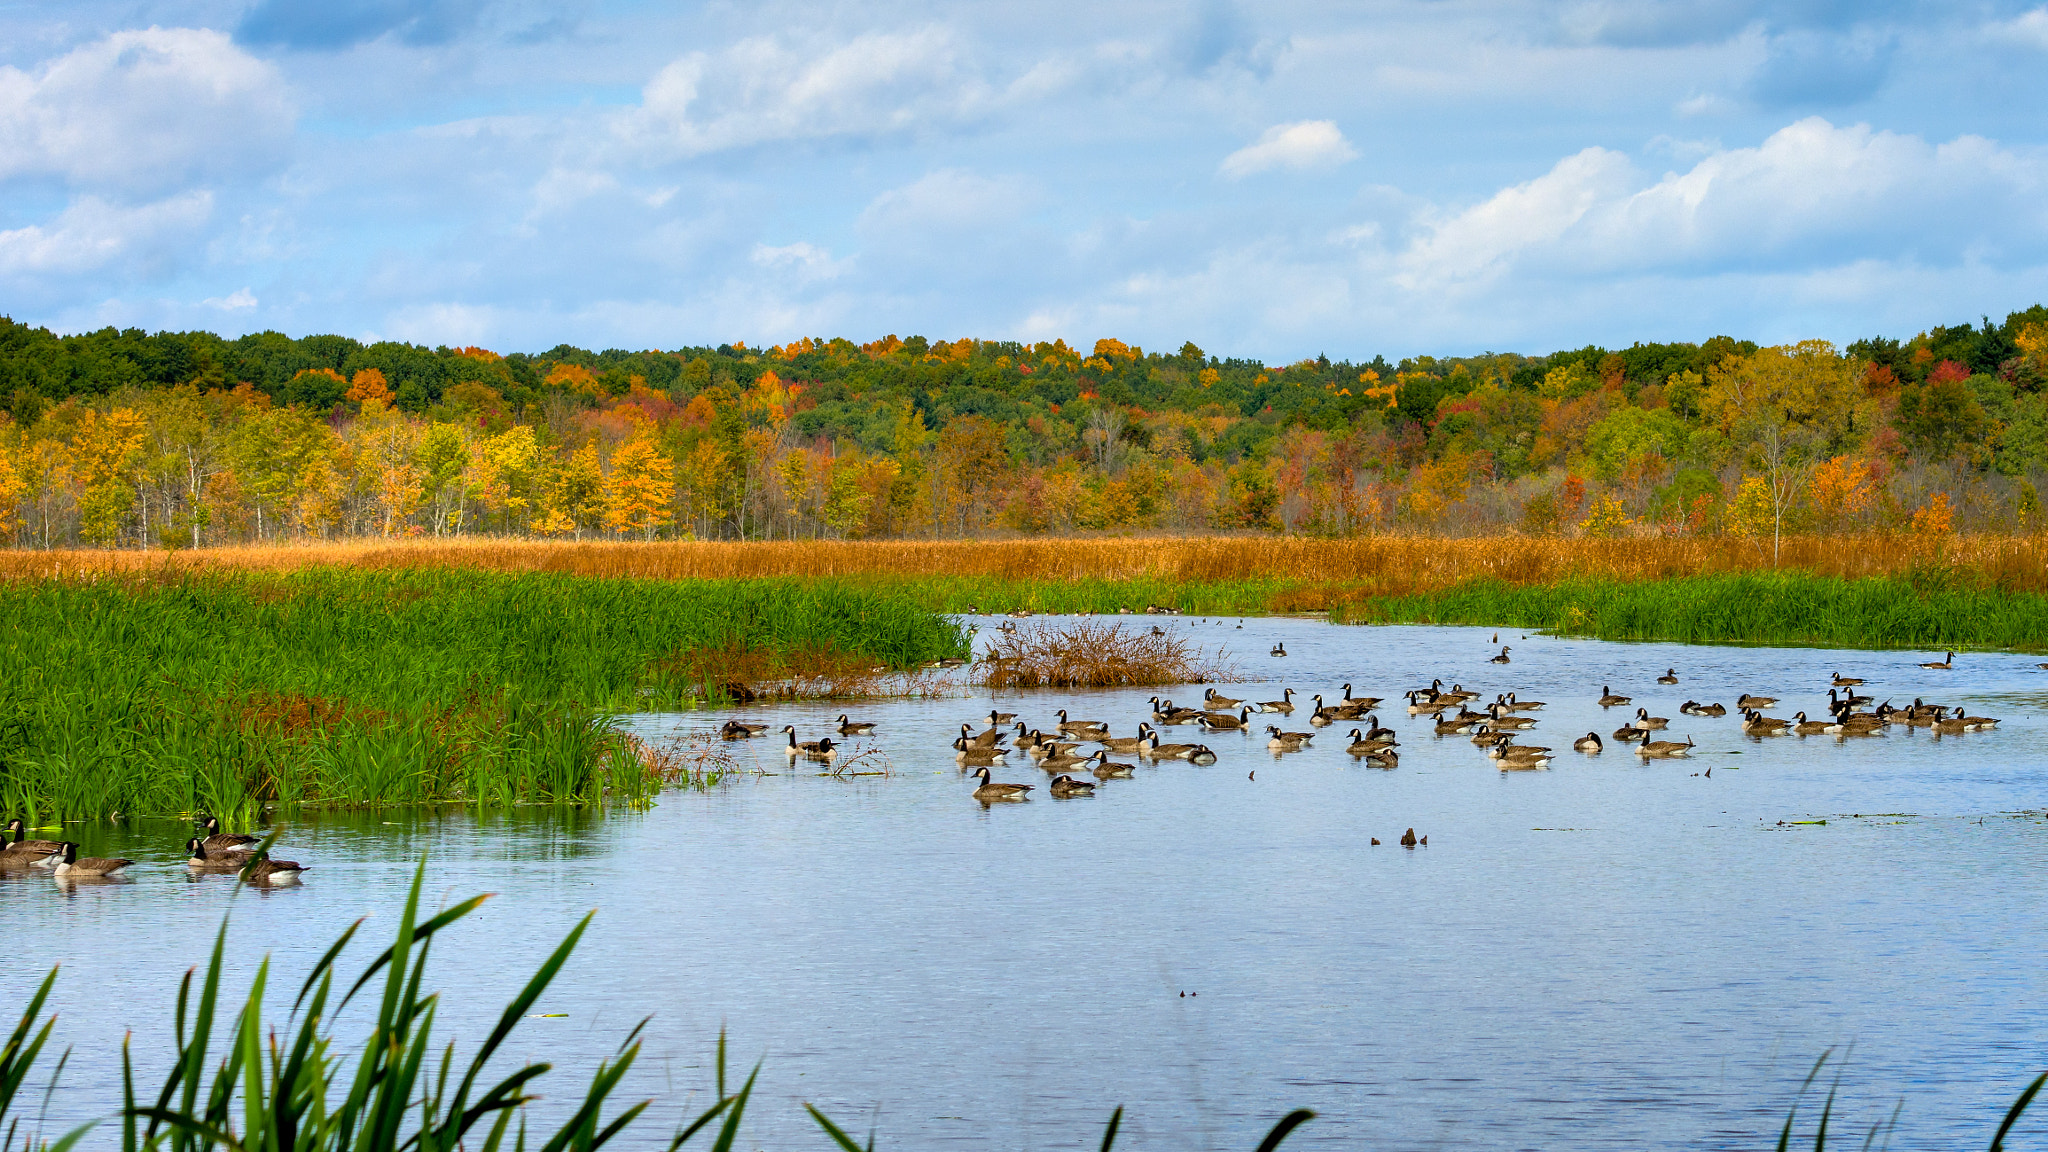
1607, 954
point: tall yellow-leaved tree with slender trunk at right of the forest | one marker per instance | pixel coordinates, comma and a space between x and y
1789, 407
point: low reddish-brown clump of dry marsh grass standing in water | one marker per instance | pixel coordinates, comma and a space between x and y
1097, 657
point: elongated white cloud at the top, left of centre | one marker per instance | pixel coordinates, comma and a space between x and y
761, 91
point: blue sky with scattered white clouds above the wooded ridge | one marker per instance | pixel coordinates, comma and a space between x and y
1271, 181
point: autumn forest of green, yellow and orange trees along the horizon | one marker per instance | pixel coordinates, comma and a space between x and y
185, 440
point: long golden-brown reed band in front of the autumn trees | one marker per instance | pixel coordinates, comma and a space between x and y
1381, 565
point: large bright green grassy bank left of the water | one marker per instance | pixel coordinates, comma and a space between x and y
165, 694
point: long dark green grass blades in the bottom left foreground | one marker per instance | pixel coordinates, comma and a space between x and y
245, 1085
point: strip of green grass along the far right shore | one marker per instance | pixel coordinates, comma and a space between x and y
1785, 610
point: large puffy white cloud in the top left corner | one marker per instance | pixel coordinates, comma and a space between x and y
144, 112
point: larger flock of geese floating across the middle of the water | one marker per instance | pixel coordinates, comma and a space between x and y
1074, 749
